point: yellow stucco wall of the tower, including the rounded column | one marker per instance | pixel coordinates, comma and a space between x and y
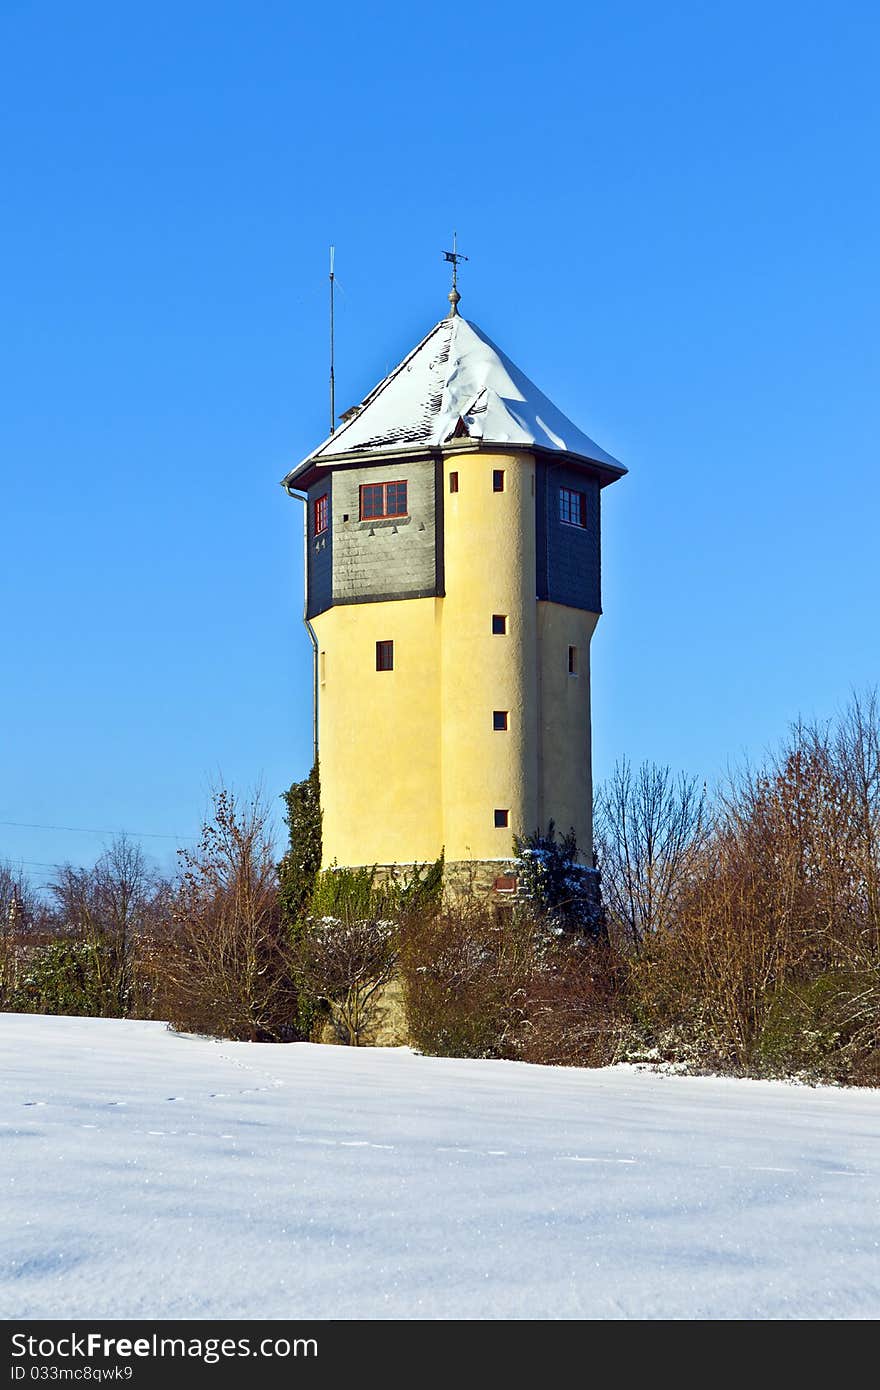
411, 761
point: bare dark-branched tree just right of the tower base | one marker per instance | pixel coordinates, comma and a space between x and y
650, 828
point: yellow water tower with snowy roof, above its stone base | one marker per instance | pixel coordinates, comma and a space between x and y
454, 494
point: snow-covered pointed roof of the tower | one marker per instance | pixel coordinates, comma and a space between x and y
455, 384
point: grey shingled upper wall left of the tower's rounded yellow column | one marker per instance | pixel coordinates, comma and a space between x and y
394, 558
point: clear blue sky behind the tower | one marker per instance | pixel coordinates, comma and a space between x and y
672, 218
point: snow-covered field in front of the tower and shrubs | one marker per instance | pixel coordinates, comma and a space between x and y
158, 1177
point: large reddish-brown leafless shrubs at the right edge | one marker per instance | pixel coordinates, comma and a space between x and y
769, 961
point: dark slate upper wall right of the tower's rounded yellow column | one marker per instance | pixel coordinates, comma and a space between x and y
568, 558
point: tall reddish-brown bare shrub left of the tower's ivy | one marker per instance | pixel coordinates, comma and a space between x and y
230, 961
